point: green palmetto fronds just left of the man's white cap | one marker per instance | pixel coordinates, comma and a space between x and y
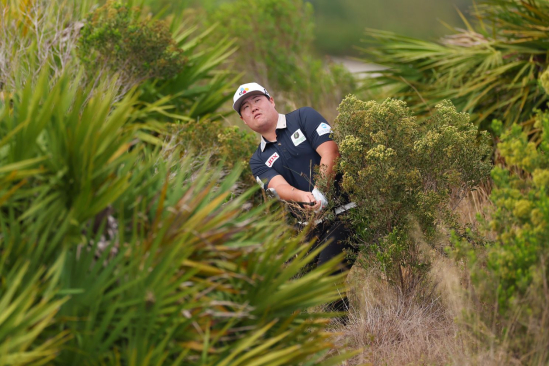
203, 86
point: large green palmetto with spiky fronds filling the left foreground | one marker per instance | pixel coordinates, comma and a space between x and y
113, 253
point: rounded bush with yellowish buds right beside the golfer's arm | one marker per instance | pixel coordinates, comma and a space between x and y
401, 171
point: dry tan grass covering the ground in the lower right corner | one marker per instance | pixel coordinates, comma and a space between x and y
441, 323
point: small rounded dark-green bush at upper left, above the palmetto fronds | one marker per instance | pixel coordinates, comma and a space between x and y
115, 38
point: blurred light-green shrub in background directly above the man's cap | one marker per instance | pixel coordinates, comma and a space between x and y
272, 37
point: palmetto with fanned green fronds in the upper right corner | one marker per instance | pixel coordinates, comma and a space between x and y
489, 70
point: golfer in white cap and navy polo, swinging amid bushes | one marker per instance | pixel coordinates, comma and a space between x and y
291, 146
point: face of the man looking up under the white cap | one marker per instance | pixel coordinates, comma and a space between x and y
259, 113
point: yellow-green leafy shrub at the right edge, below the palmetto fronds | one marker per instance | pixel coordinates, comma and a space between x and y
522, 218
